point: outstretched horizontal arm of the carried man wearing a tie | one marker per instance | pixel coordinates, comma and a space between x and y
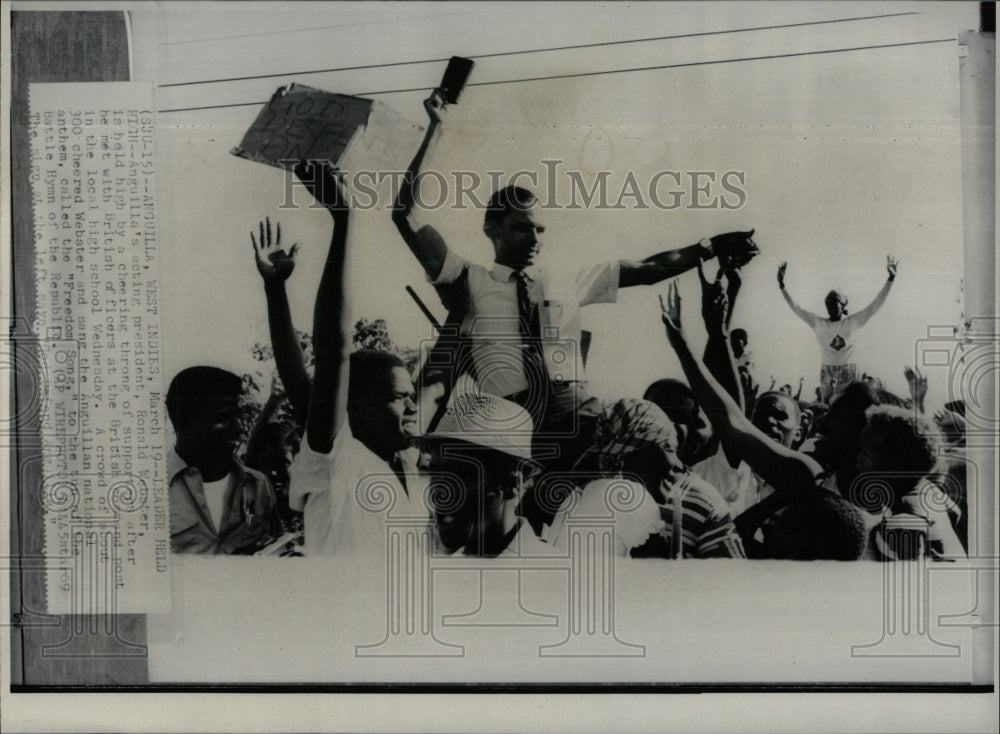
733, 249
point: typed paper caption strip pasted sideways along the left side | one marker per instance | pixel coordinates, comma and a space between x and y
104, 489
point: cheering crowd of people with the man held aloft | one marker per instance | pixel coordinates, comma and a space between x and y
496, 442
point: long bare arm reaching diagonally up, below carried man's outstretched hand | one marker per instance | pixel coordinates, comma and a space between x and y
782, 468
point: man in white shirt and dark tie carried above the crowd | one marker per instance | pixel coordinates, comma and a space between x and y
523, 323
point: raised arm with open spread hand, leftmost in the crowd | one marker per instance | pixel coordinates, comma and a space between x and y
274, 266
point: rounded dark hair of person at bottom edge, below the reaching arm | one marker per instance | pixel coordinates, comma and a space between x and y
820, 526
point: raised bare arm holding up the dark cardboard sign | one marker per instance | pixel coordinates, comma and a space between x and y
331, 317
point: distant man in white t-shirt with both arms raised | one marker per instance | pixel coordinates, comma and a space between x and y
836, 335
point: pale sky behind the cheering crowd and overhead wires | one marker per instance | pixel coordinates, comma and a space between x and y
848, 157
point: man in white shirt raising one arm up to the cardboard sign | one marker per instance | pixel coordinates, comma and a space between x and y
347, 471
